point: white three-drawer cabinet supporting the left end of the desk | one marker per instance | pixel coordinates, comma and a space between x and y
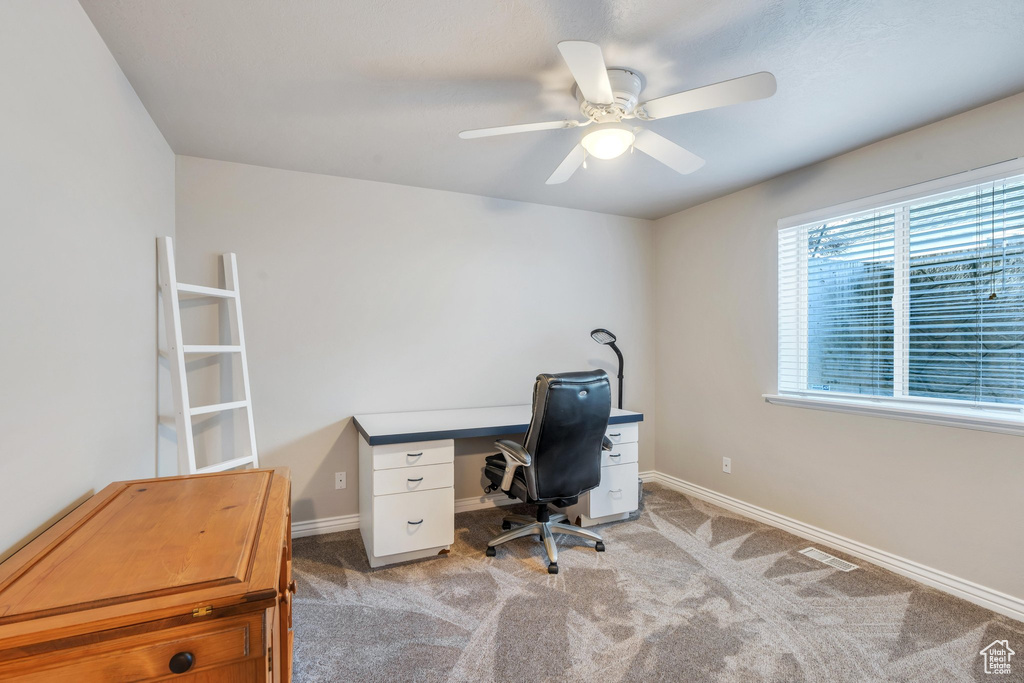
407, 500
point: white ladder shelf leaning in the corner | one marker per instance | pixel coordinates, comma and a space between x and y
173, 291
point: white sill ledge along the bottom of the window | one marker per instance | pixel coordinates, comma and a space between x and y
967, 418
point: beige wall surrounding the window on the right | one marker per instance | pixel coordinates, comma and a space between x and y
948, 498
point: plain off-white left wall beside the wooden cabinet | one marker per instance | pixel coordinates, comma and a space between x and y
87, 184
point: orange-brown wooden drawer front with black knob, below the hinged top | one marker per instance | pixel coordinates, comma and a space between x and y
146, 657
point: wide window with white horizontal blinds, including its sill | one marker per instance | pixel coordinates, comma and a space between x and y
912, 302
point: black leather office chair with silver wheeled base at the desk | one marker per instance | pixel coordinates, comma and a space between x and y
561, 458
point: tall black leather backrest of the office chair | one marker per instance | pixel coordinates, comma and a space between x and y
571, 416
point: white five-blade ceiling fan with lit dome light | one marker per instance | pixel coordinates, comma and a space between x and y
610, 97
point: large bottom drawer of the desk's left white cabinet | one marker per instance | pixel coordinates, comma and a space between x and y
405, 523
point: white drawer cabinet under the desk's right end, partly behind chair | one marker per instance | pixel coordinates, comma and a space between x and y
617, 496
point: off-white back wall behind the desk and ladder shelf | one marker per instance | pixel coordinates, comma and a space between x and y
366, 297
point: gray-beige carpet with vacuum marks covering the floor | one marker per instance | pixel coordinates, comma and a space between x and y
688, 592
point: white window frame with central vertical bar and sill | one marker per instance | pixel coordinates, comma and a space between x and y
1004, 418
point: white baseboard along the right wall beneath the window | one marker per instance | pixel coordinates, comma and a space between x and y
979, 595
